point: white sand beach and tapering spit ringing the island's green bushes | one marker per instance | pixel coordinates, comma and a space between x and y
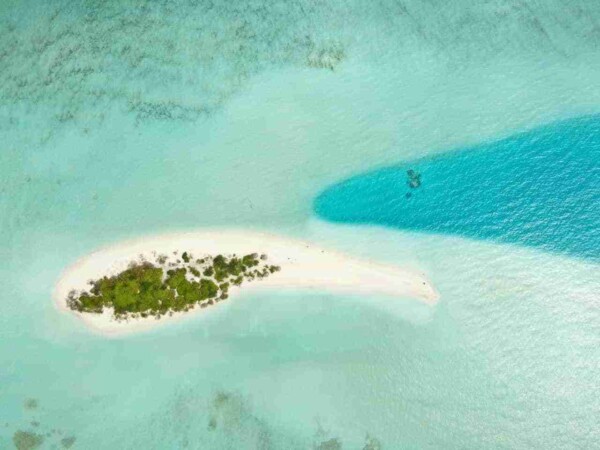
303, 266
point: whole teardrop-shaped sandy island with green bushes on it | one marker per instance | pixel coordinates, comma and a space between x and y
125, 287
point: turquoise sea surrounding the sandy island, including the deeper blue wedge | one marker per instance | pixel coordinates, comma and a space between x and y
124, 118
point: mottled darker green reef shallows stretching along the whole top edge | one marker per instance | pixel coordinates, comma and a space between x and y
77, 61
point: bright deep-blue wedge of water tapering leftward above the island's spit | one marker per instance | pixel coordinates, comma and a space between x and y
540, 188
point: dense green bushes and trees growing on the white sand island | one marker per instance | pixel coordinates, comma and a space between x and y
154, 289
